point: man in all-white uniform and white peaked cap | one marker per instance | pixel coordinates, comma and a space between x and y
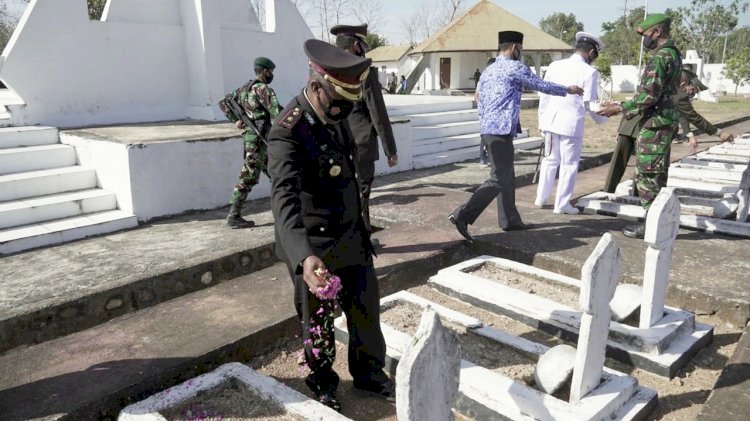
561, 121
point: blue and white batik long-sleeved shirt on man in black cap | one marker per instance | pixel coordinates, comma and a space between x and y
500, 88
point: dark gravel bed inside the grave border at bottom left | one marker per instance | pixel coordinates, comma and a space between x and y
230, 401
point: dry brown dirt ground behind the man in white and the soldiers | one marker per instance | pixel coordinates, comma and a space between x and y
604, 136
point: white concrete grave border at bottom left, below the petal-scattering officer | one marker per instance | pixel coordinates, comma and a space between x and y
294, 403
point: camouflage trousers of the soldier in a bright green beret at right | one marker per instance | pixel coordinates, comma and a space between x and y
652, 161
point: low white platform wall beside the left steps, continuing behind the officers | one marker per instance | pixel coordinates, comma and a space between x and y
168, 178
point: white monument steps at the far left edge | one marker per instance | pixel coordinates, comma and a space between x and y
45, 198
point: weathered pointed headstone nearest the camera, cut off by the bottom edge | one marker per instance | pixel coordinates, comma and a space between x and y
428, 373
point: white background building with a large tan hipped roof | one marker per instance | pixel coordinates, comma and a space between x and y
447, 60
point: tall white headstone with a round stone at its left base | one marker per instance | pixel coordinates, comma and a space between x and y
598, 282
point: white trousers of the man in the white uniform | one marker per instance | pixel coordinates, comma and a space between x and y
562, 152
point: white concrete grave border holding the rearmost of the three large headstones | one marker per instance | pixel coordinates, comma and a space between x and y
661, 349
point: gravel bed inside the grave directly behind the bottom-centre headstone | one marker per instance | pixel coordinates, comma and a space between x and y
405, 317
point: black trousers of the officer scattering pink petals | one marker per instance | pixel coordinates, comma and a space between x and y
360, 301
